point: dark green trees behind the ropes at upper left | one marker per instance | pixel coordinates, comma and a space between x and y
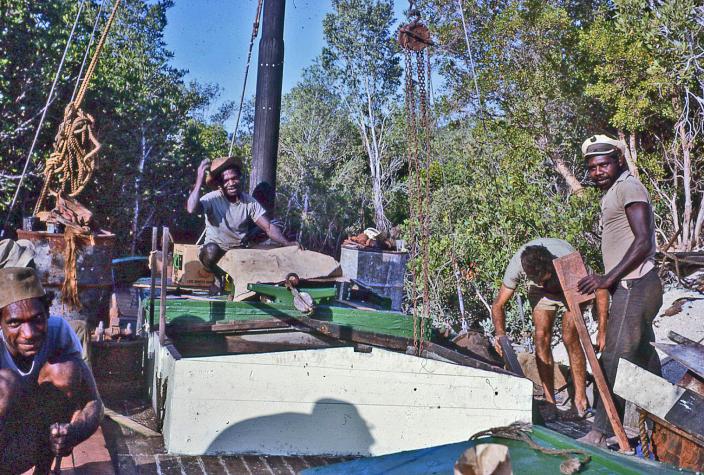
148, 118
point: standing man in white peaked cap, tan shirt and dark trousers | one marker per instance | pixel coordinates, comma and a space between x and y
628, 251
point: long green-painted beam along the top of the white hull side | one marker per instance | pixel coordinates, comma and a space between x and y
198, 312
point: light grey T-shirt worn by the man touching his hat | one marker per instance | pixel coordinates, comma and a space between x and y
226, 222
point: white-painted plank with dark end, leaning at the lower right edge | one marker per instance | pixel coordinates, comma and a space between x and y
678, 406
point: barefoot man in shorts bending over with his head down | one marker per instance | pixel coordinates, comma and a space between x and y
534, 262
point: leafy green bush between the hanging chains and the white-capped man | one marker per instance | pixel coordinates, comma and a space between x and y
488, 200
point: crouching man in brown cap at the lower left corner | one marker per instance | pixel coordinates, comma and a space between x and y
48, 398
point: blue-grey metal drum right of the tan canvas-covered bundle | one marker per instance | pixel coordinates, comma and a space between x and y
382, 271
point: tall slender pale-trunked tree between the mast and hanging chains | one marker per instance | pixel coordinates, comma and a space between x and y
361, 58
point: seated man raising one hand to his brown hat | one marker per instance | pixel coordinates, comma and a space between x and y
227, 210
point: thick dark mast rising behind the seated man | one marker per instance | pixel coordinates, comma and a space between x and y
267, 105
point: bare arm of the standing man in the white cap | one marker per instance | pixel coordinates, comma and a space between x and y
638, 215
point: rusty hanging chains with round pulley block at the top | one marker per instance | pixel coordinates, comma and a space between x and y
414, 39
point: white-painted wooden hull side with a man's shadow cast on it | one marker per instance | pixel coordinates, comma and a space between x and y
331, 401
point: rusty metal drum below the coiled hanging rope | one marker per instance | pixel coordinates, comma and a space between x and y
93, 268
